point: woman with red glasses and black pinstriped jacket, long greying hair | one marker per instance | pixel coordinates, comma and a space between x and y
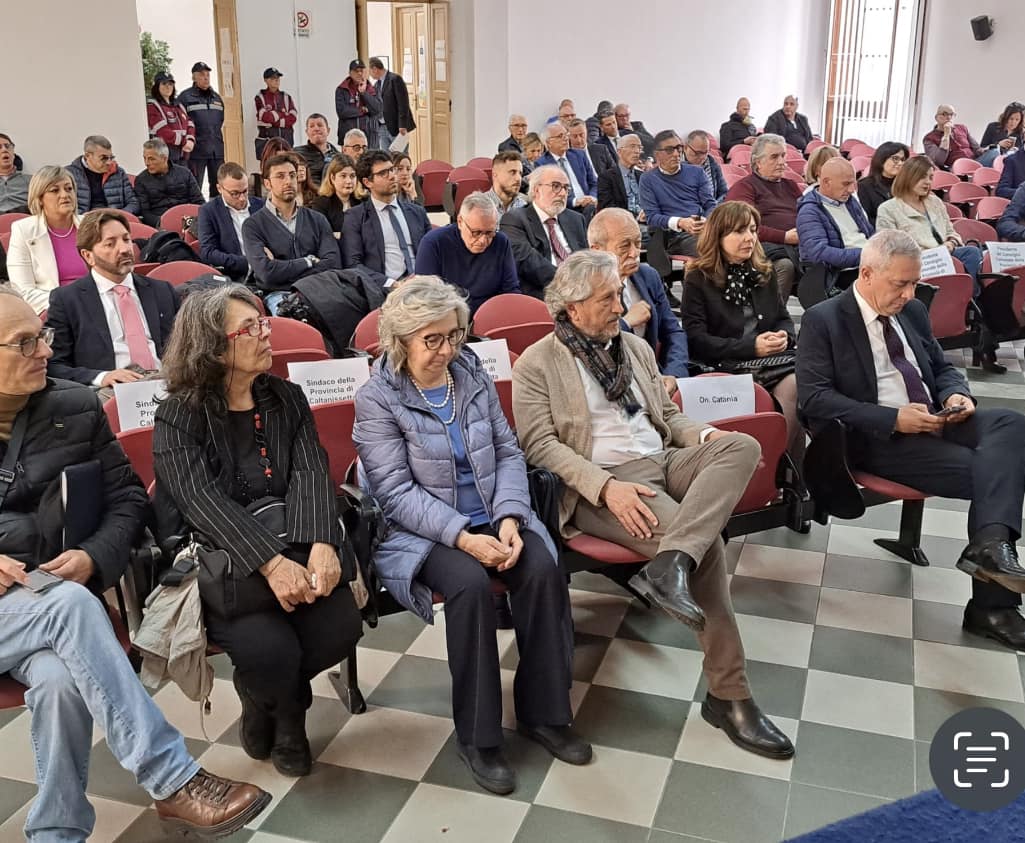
232, 444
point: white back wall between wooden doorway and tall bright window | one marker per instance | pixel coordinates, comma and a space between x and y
676, 67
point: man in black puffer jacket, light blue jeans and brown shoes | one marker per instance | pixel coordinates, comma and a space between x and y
59, 643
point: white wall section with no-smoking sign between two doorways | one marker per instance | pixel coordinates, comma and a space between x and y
313, 67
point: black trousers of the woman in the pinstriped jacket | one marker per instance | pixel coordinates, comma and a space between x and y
278, 653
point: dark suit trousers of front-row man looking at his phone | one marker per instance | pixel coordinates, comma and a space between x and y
981, 460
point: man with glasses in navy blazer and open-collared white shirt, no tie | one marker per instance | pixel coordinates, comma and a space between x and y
221, 223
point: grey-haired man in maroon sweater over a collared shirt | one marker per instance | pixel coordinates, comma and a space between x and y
776, 200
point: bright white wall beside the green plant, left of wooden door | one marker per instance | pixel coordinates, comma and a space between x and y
187, 26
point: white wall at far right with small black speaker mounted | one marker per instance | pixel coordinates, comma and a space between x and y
978, 78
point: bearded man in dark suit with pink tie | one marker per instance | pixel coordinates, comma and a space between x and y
109, 327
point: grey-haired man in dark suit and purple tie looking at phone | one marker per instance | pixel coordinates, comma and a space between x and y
869, 358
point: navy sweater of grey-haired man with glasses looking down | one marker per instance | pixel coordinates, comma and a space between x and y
442, 253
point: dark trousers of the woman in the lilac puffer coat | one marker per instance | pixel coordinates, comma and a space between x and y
544, 635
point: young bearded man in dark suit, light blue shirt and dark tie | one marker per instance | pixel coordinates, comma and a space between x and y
382, 236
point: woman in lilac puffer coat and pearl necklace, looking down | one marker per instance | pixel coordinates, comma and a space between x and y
441, 459
